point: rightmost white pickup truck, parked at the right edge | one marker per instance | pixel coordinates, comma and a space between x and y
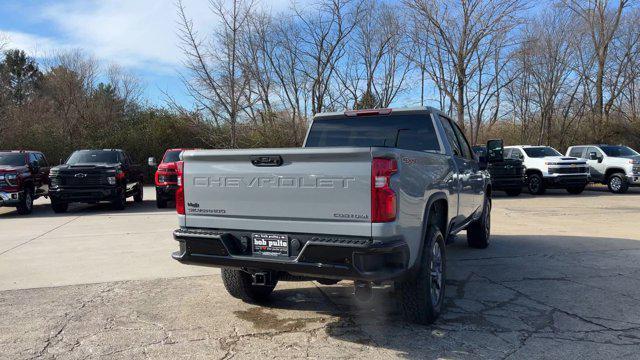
617, 166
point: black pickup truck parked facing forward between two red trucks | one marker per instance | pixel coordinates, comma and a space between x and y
91, 176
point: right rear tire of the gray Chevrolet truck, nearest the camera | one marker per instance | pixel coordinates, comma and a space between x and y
422, 294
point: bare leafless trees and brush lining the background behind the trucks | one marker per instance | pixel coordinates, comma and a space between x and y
558, 73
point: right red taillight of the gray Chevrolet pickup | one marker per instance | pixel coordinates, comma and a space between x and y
383, 199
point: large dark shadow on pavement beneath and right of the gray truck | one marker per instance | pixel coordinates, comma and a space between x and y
523, 289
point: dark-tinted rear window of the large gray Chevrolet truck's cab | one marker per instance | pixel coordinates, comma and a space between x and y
410, 132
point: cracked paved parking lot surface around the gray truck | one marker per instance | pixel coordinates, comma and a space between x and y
561, 279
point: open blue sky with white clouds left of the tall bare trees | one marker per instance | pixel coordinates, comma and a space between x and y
139, 35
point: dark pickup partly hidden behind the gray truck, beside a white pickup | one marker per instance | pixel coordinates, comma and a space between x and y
506, 174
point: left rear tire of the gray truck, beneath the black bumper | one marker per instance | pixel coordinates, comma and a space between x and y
239, 285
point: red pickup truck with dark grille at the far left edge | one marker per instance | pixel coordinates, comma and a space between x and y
24, 177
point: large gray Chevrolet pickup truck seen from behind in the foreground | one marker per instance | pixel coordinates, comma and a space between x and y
372, 197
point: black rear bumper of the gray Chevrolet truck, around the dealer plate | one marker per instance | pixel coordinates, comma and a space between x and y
333, 257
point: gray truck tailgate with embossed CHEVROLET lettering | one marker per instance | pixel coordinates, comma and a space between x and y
312, 190
